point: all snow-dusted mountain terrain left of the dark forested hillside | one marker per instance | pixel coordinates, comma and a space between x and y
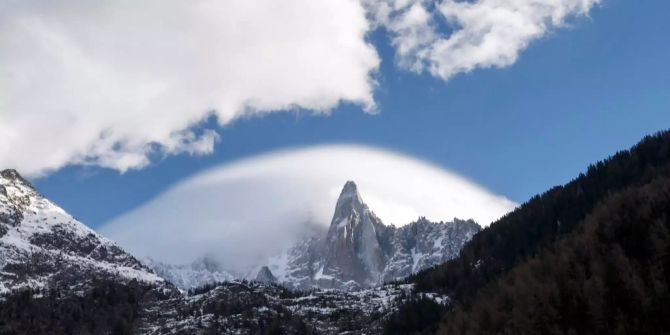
347, 279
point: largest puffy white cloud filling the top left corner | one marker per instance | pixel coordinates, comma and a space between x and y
108, 82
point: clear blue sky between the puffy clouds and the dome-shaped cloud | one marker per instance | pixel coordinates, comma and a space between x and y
573, 97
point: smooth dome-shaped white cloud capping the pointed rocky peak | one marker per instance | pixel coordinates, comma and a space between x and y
244, 211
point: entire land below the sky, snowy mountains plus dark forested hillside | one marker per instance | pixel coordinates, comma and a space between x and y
588, 257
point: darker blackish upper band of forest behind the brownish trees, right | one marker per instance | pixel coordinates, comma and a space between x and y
544, 218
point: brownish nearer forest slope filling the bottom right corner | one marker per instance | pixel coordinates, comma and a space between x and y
611, 276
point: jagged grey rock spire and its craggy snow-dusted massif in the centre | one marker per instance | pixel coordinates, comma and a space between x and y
360, 251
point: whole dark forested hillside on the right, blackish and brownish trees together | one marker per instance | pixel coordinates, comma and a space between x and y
587, 257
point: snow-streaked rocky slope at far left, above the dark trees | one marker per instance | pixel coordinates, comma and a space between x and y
43, 246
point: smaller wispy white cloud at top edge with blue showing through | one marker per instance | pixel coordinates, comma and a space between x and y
486, 33
